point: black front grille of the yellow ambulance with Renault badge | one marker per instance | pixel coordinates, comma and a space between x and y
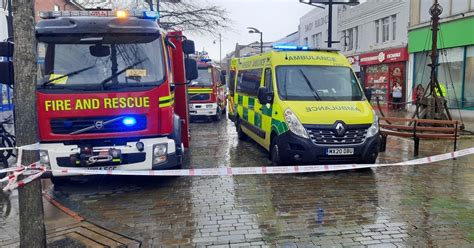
328, 136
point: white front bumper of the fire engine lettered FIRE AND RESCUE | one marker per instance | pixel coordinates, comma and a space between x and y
144, 154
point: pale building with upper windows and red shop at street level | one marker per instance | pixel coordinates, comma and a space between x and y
374, 38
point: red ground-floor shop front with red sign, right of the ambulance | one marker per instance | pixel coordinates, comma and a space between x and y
381, 71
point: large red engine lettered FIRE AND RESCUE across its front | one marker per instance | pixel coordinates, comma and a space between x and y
111, 91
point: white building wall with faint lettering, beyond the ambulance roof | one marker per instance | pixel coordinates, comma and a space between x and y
313, 28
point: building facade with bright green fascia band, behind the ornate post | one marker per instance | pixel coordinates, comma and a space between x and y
456, 46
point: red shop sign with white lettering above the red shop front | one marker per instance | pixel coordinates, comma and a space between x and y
389, 56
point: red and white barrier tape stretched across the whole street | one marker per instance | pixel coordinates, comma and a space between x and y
35, 170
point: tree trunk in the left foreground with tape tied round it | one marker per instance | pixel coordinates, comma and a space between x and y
32, 229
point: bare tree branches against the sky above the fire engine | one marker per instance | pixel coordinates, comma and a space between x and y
195, 16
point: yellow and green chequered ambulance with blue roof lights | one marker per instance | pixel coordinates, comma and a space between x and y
304, 106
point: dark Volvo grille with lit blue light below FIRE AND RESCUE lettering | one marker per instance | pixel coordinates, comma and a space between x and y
69, 125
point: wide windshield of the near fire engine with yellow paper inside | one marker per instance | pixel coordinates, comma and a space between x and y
100, 63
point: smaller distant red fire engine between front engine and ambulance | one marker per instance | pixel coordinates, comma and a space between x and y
207, 92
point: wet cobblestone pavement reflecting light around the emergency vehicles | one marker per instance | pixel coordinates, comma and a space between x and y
412, 206
